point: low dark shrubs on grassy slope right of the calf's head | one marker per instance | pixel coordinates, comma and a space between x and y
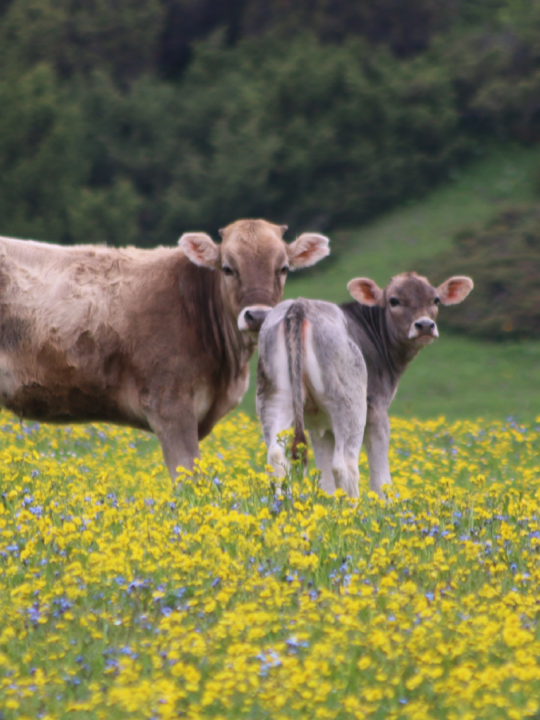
503, 259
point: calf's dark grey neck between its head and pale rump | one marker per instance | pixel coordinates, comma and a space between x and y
383, 355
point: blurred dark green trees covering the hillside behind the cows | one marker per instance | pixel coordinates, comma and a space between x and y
130, 122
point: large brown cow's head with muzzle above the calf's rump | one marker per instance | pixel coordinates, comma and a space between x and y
254, 261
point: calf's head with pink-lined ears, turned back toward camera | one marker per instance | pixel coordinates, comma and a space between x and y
411, 303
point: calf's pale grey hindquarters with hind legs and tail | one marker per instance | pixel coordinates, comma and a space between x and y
311, 373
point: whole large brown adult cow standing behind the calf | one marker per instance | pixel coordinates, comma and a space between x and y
148, 338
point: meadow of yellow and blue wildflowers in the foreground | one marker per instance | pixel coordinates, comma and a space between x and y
124, 595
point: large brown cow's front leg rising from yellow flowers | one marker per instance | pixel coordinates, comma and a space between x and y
176, 429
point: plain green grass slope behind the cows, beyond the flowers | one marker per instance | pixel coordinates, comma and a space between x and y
457, 377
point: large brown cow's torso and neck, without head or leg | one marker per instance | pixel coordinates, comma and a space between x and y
101, 334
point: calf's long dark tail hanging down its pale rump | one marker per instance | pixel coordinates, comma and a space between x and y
294, 320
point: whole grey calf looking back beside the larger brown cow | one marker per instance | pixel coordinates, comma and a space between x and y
312, 368
